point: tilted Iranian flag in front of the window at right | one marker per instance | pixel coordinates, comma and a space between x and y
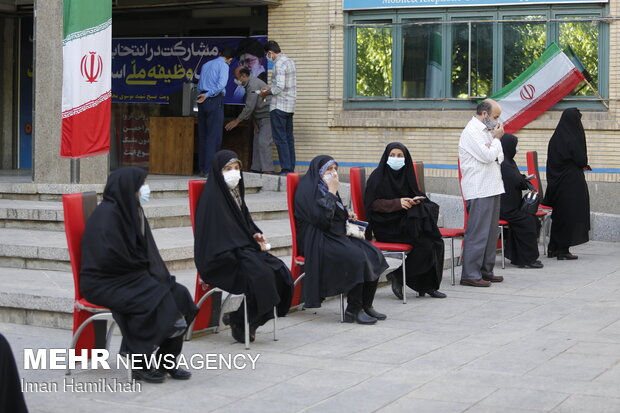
551, 77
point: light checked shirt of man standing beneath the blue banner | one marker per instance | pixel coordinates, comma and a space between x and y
284, 85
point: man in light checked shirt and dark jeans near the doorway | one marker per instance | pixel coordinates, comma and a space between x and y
282, 108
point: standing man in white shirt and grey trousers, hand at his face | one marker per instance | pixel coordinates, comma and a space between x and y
480, 156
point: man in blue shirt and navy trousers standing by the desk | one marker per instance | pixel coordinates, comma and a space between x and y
211, 92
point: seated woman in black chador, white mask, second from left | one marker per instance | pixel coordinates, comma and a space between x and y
230, 250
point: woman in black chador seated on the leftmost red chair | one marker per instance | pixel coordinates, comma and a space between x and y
122, 270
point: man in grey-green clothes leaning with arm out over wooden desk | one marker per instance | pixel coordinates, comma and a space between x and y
256, 109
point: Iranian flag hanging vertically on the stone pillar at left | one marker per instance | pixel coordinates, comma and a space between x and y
86, 78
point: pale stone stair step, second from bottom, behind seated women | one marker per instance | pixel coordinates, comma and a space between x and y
47, 250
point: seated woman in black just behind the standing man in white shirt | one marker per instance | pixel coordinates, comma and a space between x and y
522, 233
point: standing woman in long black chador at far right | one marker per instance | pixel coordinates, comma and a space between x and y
567, 191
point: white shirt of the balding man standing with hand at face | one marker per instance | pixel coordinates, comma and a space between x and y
480, 156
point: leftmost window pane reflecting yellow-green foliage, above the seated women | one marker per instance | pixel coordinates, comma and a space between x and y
373, 61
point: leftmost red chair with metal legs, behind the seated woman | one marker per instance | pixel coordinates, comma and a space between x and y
89, 320
